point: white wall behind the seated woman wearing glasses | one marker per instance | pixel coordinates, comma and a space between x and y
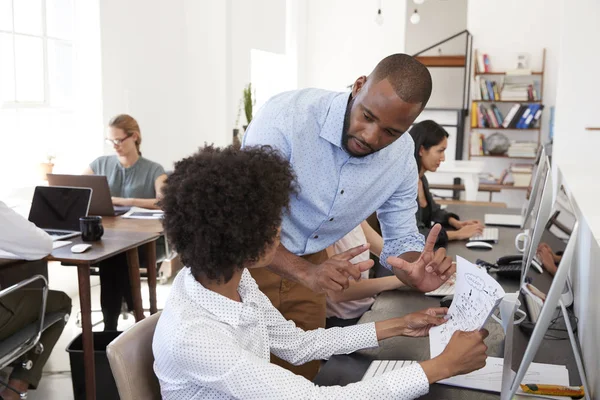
179, 67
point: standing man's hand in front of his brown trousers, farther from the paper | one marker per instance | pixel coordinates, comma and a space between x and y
333, 275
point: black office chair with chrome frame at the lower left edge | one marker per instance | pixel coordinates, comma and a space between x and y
14, 348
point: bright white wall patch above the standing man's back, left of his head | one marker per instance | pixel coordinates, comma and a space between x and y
343, 41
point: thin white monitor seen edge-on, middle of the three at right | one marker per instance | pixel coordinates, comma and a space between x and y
541, 209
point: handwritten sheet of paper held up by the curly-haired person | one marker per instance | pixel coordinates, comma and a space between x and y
476, 295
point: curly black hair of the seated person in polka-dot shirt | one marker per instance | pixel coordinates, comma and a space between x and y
223, 207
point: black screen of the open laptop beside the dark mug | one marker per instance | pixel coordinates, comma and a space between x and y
56, 207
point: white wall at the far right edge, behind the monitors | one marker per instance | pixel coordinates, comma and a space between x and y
576, 155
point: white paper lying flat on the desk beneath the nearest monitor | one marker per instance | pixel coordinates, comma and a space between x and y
490, 377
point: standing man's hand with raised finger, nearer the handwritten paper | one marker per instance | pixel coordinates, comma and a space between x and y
430, 270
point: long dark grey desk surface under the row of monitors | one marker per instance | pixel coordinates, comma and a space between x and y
345, 369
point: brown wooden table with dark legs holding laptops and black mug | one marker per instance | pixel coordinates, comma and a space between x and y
113, 242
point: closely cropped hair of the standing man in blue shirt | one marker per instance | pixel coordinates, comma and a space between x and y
410, 79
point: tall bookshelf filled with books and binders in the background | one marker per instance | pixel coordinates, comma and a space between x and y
517, 116
